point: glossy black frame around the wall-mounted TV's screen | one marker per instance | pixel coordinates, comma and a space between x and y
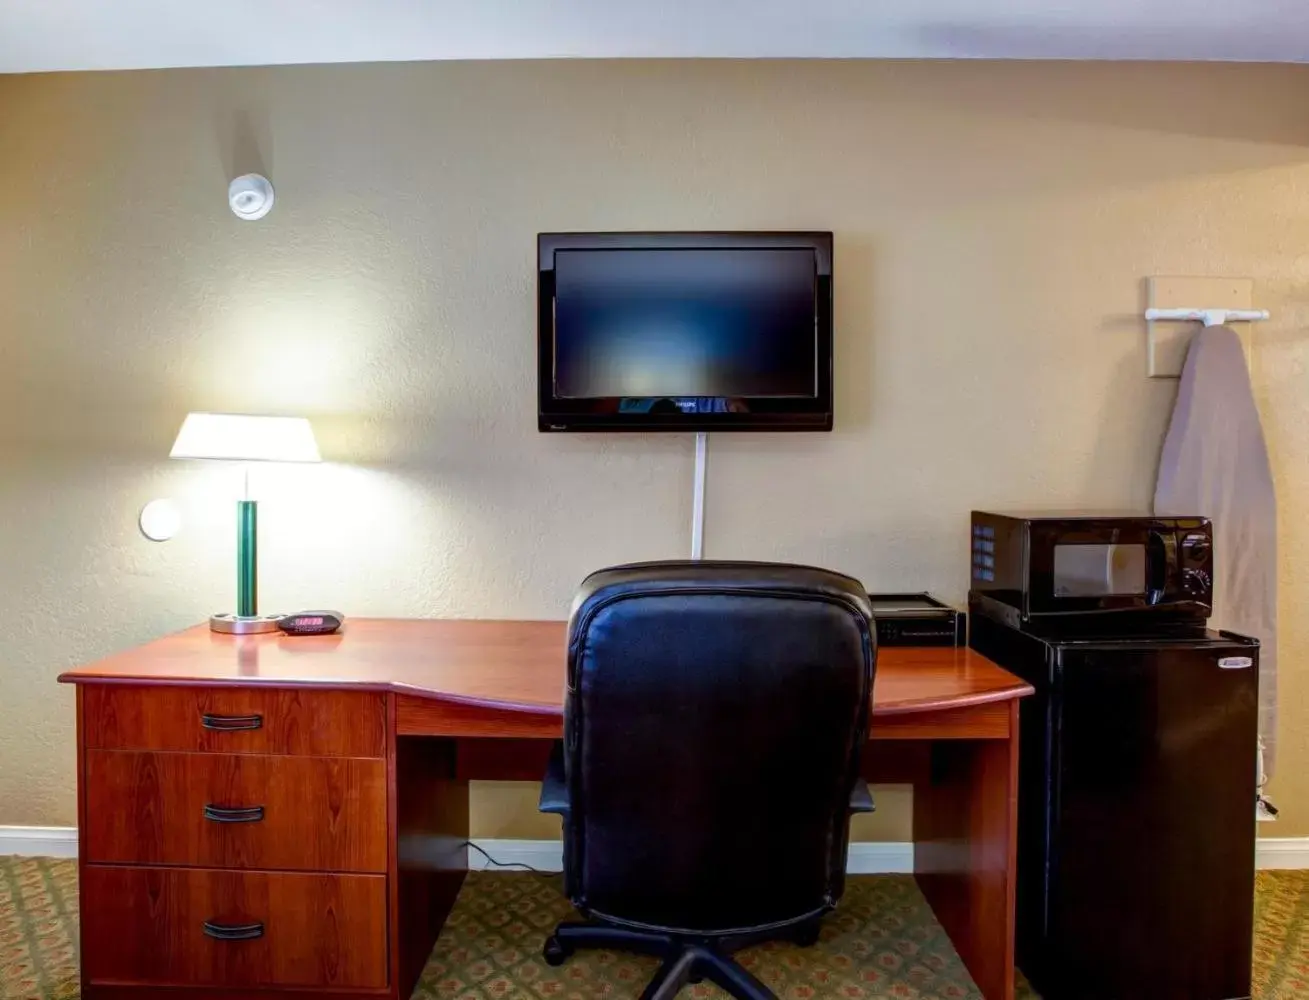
774, 414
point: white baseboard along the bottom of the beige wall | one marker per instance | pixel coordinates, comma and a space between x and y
1280, 853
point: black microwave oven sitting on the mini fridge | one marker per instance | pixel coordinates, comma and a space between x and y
1028, 569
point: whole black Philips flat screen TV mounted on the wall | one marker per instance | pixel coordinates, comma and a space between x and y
685, 332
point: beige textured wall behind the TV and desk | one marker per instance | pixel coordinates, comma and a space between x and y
994, 224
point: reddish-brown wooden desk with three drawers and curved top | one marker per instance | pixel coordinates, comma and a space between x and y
269, 816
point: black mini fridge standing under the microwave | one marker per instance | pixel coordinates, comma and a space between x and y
1137, 807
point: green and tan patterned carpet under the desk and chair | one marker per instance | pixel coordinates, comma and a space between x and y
882, 943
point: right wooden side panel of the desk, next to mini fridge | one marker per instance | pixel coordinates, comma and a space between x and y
965, 854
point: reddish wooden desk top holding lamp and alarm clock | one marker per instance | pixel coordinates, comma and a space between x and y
507, 666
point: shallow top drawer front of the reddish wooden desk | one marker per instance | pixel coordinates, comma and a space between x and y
238, 721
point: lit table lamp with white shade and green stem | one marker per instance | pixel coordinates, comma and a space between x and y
238, 438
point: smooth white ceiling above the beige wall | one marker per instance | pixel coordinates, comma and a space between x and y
121, 35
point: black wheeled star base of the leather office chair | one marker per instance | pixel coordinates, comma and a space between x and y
687, 960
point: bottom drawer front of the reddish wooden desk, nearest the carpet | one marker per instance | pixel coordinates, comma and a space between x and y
155, 926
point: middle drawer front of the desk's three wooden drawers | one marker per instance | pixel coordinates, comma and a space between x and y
319, 813
